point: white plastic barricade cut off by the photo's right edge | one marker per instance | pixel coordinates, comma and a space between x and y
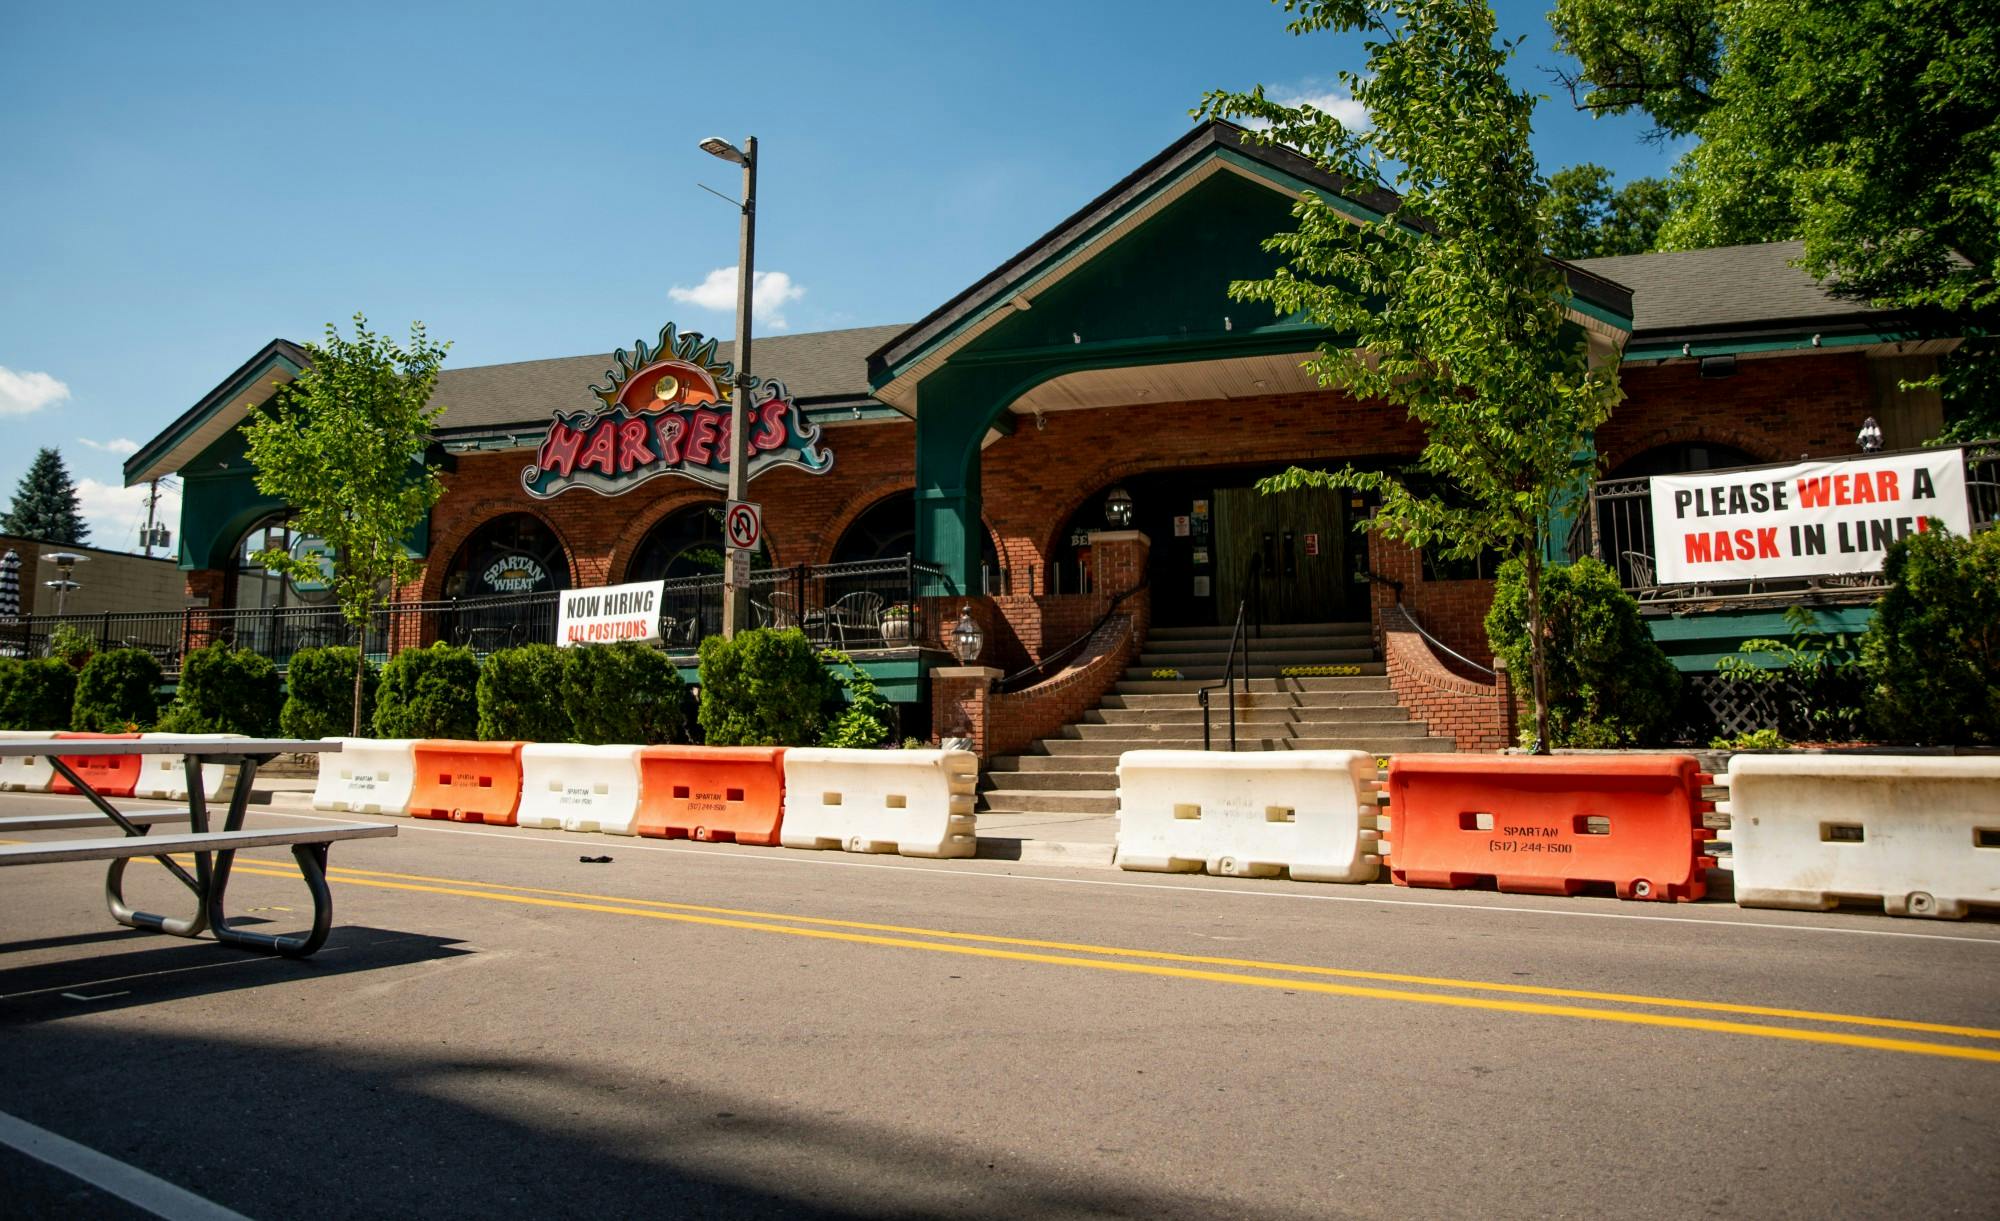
1919, 834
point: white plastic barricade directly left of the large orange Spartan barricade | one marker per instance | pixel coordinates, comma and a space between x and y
1257, 814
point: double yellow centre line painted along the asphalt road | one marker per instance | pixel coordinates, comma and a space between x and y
1299, 978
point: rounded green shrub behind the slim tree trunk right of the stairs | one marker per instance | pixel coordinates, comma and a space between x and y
1609, 684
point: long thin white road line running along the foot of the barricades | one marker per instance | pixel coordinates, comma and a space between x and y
771, 858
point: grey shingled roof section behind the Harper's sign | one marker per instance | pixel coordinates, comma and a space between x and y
821, 367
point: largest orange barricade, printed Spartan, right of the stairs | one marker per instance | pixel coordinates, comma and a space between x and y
1551, 826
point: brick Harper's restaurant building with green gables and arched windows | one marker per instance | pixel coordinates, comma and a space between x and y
1091, 409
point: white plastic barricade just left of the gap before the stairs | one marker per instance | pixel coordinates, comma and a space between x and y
917, 804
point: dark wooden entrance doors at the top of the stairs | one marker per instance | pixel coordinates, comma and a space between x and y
1297, 543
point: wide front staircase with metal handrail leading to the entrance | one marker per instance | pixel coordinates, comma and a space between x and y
1077, 772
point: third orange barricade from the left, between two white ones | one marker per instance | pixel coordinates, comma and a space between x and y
725, 794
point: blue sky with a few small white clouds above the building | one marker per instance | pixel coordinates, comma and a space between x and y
189, 181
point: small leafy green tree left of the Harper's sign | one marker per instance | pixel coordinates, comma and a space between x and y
345, 449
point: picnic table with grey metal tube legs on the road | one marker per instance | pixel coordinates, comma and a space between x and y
215, 852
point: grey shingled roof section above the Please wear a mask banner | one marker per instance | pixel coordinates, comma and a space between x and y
1725, 289
